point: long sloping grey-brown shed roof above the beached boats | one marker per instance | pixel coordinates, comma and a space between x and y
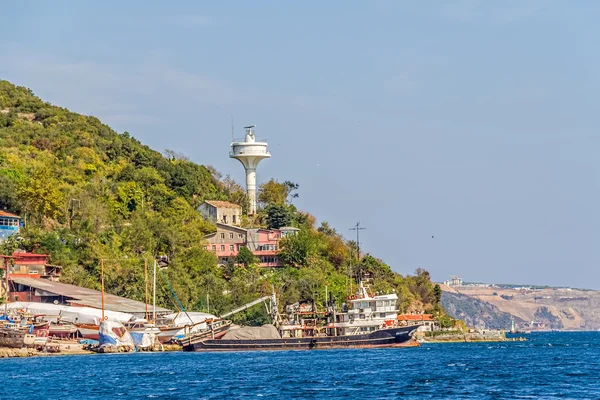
87, 297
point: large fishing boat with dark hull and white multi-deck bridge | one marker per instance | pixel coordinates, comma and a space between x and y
365, 321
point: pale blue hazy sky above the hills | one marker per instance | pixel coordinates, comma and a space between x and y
463, 135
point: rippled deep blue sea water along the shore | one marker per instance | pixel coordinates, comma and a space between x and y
547, 366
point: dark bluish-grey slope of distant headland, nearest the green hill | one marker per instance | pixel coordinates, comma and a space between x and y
474, 312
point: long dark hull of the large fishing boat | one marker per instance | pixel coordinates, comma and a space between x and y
393, 337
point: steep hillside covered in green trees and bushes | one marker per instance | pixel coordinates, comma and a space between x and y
89, 193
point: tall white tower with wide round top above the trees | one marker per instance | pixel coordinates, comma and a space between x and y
250, 152
